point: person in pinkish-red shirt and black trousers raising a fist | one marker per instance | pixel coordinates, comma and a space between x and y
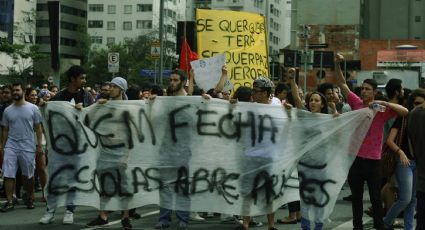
366, 166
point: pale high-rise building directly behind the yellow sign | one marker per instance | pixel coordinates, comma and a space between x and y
277, 13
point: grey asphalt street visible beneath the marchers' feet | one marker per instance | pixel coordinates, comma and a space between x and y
22, 218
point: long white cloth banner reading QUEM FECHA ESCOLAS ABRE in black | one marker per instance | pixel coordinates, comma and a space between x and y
187, 153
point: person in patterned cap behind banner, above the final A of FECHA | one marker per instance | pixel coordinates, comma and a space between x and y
261, 92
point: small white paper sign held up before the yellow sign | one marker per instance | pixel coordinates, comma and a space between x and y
208, 71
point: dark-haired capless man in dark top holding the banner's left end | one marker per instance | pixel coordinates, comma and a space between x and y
74, 92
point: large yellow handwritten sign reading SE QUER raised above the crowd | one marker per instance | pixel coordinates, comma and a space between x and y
241, 36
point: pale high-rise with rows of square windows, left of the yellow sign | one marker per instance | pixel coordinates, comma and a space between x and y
113, 22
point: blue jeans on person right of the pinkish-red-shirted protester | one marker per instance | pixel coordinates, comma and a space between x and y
406, 179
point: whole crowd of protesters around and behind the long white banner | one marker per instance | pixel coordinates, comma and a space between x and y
23, 146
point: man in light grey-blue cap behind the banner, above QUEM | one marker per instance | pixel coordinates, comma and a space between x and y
118, 87
